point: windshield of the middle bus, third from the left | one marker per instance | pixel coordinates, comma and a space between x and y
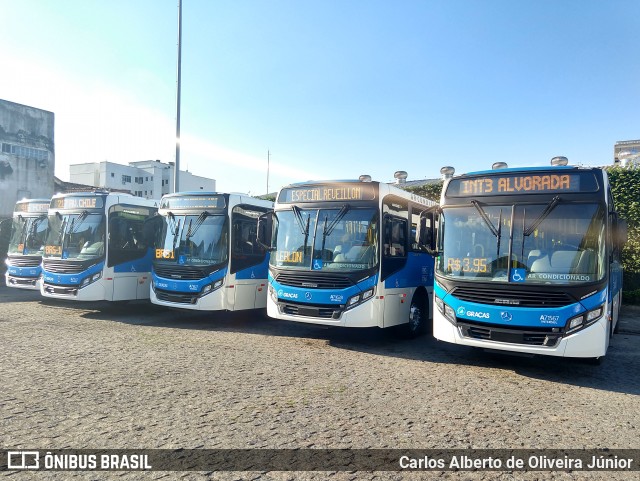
195, 240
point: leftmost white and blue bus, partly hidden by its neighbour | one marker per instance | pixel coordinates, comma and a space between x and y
28, 231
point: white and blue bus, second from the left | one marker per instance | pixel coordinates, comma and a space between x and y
98, 247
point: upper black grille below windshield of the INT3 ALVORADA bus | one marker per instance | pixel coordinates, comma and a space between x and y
515, 298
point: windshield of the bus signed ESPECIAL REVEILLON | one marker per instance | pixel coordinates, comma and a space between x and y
340, 238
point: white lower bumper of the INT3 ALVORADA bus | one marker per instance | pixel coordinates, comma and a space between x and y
589, 342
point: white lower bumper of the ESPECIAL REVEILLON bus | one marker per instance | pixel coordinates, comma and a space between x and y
367, 314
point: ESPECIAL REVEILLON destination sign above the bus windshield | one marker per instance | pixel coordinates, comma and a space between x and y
328, 193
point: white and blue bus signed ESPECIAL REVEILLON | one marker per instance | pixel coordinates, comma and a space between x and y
343, 254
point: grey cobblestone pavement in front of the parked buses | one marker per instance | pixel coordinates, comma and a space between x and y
138, 376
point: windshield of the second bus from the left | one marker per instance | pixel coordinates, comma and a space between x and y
76, 236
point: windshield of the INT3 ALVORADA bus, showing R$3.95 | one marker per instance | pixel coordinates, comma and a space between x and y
554, 243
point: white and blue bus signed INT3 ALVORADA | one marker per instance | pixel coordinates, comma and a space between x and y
529, 260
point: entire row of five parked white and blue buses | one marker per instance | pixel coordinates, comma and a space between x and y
526, 260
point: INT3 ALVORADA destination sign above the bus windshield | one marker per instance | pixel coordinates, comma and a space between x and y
512, 184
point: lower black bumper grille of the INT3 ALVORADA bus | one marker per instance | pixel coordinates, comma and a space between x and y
544, 337
